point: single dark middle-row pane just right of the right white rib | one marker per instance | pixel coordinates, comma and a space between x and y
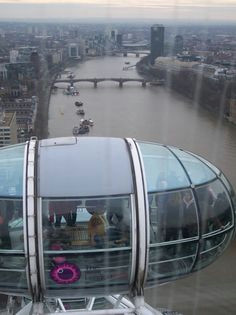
173, 216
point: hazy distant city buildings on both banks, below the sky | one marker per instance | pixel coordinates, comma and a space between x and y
33, 55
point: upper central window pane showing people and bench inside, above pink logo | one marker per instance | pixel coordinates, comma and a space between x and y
97, 223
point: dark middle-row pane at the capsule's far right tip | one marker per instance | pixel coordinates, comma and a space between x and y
215, 208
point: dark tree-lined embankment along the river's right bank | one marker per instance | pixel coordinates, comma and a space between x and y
216, 95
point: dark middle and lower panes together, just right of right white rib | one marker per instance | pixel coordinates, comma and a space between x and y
173, 234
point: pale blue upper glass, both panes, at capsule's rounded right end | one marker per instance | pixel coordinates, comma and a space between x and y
170, 168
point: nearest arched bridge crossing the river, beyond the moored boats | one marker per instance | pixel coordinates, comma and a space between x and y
121, 81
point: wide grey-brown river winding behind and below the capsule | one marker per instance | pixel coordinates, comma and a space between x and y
157, 114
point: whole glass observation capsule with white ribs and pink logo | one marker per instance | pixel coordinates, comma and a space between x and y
94, 216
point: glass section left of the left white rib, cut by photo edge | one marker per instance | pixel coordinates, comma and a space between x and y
12, 254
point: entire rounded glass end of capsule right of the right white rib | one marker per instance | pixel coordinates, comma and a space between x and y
190, 212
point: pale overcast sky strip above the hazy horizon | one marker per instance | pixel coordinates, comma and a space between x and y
193, 10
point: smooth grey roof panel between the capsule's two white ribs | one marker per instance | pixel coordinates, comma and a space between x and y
84, 167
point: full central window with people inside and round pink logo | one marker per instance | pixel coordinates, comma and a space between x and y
88, 244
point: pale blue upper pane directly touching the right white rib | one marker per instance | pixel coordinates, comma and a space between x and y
163, 171
